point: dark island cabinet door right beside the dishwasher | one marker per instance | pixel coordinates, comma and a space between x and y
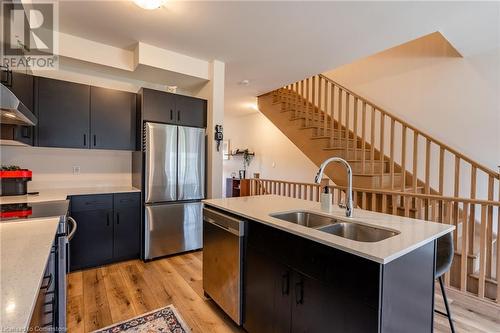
267, 295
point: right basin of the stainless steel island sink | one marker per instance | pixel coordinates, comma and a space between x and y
358, 232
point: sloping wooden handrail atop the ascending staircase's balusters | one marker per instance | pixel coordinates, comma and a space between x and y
416, 130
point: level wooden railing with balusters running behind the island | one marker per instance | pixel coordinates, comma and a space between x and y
477, 274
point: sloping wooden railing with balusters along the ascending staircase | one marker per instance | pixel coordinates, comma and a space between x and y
377, 136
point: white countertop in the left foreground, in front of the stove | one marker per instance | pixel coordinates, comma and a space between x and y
25, 248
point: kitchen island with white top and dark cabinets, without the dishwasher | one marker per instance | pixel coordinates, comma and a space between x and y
299, 278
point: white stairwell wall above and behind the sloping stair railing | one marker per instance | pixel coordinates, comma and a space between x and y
453, 99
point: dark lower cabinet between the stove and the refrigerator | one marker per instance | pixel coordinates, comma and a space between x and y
108, 229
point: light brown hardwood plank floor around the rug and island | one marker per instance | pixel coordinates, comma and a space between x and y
102, 296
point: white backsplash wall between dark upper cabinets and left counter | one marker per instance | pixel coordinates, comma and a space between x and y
53, 167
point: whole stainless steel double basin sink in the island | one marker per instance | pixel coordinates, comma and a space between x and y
331, 225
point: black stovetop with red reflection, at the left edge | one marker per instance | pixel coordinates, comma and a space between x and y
10, 212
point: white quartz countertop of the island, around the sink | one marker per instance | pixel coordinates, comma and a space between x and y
412, 233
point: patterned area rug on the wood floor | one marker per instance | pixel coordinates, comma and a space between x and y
165, 320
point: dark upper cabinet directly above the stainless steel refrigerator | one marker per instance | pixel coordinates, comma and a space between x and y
163, 107
